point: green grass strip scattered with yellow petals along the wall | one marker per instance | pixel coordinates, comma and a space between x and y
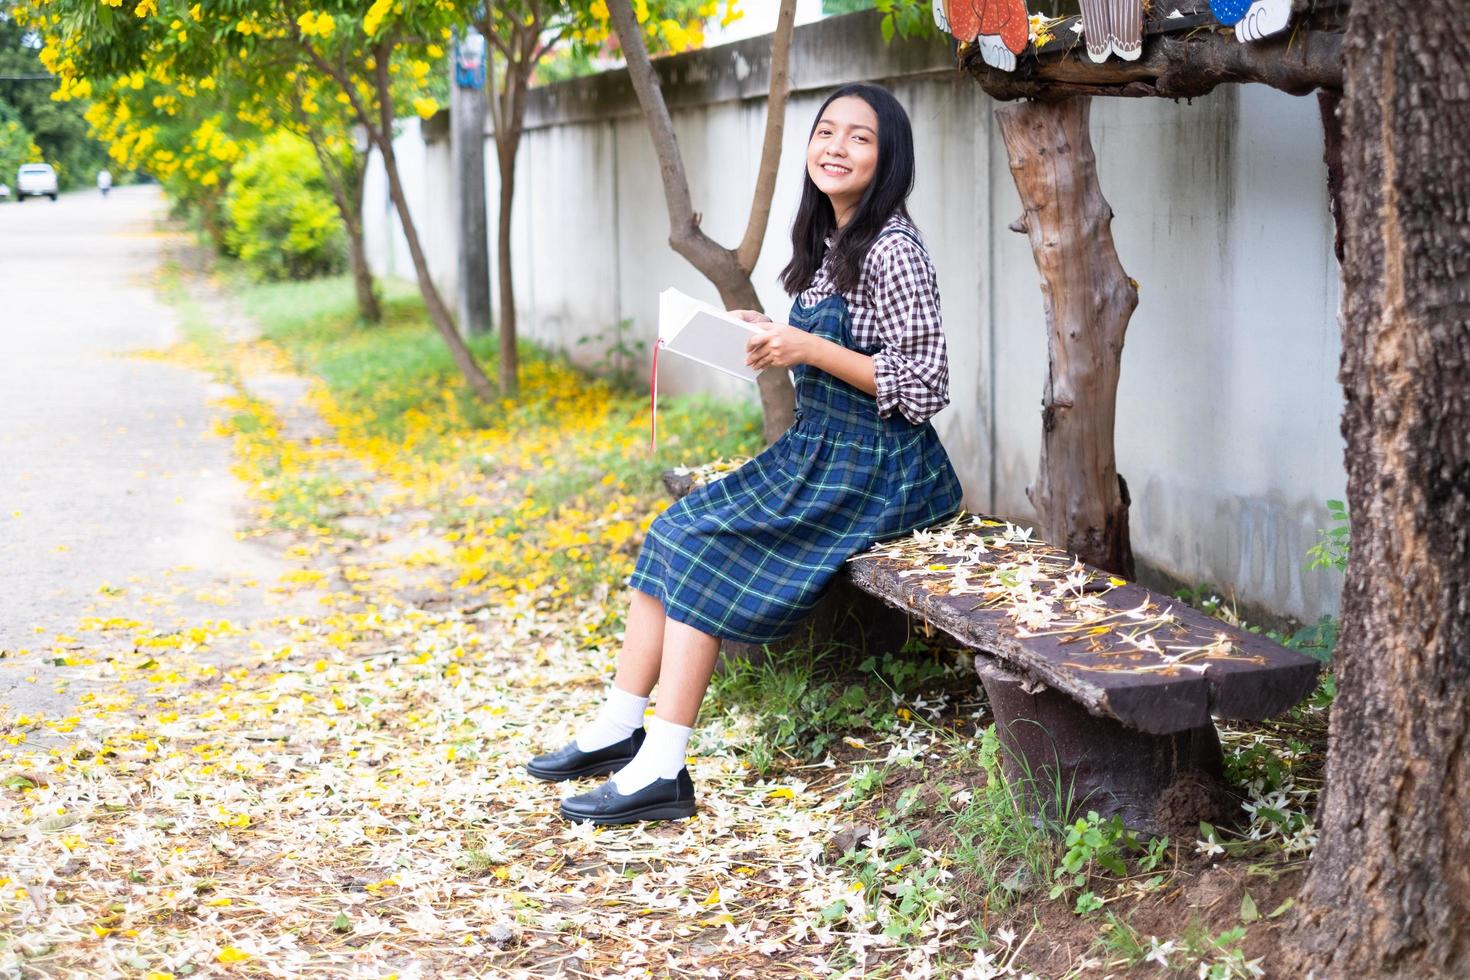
396, 375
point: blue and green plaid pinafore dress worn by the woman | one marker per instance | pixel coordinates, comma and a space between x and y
747, 558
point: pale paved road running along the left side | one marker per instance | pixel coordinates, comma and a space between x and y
108, 472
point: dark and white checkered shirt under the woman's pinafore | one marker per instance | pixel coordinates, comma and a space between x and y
896, 309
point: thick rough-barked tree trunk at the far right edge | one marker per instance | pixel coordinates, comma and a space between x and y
1388, 891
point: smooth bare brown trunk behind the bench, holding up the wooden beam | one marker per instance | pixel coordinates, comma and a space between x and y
1078, 494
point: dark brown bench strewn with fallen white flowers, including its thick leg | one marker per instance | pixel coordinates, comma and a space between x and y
1102, 690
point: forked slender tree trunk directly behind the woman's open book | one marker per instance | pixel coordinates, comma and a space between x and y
727, 268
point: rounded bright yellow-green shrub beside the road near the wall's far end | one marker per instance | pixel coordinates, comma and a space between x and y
280, 215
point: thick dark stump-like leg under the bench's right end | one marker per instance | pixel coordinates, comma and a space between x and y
1066, 762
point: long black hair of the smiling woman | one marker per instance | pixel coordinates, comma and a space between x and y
887, 195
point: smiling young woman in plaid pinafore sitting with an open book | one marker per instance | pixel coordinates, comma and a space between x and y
749, 556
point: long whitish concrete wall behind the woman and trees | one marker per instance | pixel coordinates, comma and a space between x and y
1228, 409
